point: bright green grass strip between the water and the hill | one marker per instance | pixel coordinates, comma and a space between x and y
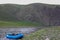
20, 23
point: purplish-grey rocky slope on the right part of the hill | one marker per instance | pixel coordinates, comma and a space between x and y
47, 14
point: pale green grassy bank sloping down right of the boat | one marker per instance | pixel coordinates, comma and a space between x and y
52, 33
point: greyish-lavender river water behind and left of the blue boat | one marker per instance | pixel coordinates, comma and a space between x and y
4, 31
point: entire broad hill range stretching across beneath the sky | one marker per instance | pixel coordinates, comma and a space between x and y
35, 12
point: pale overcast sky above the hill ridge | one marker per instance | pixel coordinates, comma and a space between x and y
30, 1
